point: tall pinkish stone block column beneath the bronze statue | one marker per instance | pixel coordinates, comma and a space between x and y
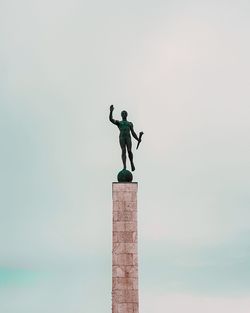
124, 253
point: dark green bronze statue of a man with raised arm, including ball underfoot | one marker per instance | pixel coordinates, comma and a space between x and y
125, 128
